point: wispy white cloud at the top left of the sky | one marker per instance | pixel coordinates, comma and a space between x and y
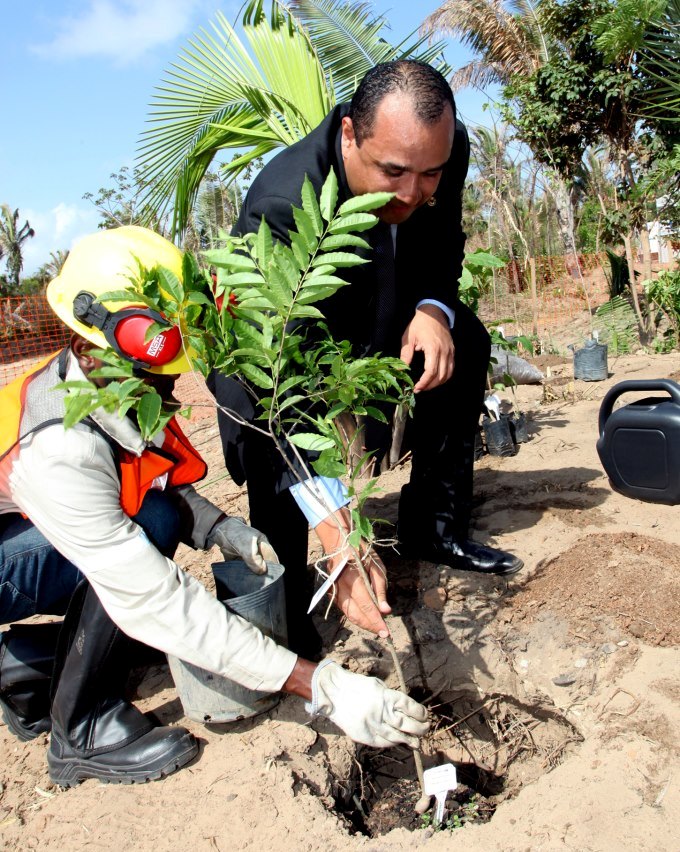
122, 30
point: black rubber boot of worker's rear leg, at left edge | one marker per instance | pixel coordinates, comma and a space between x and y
26, 662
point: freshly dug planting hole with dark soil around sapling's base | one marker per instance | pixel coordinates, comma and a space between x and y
496, 744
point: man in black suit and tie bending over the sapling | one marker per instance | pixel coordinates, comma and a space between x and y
399, 134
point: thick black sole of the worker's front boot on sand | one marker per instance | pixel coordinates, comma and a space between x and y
70, 771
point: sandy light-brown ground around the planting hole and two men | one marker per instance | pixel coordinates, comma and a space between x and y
556, 693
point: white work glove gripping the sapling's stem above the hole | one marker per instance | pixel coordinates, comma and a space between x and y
365, 709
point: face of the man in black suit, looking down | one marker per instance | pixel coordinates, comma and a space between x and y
402, 156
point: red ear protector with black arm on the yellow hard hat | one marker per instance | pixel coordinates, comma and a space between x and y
125, 331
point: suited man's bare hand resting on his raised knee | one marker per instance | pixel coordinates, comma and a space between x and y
429, 333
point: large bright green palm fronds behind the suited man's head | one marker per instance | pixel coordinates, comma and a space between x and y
219, 95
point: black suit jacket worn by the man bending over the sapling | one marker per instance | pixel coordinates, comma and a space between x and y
429, 246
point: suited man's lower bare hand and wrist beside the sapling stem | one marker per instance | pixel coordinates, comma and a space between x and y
351, 594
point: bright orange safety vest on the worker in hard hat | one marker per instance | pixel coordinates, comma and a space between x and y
177, 457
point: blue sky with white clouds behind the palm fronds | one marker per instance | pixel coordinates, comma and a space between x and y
80, 75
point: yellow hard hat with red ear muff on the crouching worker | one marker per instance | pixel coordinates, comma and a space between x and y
108, 261
